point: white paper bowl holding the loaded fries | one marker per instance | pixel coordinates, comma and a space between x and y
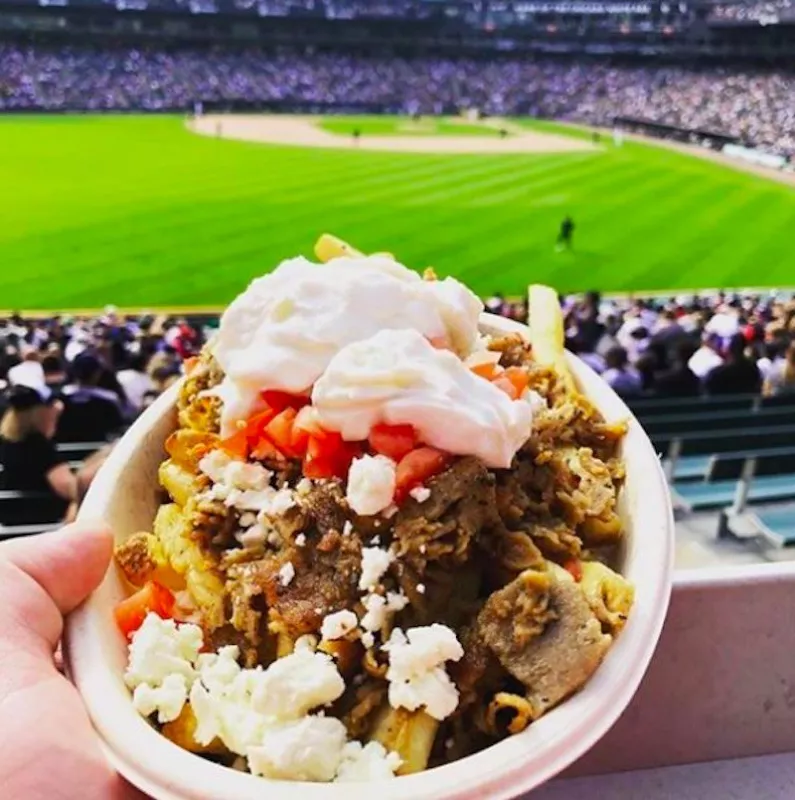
125, 494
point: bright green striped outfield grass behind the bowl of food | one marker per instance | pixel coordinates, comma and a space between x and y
137, 211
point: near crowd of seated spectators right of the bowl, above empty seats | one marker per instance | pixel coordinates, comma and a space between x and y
681, 346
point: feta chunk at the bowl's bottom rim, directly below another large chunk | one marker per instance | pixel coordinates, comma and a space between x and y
309, 749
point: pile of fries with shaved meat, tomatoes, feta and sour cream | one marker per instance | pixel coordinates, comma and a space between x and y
389, 539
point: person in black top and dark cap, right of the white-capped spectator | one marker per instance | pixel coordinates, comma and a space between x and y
91, 414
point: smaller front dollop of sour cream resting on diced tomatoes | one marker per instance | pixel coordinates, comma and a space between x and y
398, 377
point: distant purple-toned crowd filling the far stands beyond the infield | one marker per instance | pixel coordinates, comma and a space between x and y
756, 106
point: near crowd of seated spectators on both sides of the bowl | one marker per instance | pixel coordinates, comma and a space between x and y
66, 380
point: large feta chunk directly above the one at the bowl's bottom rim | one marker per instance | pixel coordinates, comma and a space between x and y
294, 685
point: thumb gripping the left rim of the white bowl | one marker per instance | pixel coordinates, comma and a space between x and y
67, 564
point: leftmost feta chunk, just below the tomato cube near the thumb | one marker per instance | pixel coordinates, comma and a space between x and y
160, 648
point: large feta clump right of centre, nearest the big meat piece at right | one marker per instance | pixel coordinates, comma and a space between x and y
416, 674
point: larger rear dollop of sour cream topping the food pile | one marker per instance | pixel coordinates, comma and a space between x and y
283, 331
